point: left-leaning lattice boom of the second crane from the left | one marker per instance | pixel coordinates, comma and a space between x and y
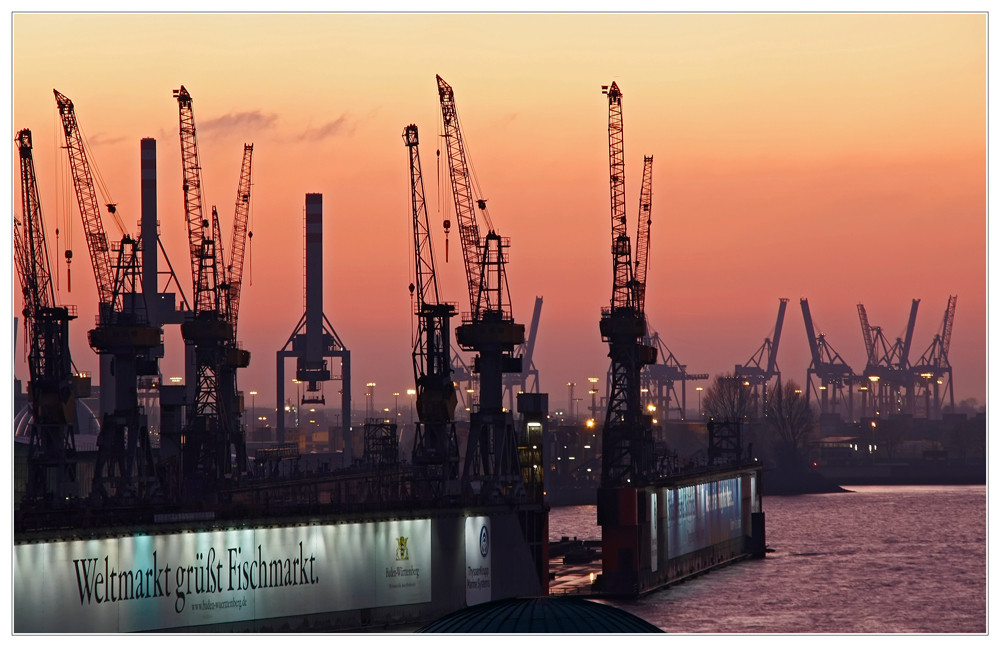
86, 196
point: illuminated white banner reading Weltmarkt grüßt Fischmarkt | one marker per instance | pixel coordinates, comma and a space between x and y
151, 582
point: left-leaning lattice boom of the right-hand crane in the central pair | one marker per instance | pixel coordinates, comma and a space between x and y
461, 182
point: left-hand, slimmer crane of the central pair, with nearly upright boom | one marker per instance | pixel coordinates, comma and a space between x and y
435, 445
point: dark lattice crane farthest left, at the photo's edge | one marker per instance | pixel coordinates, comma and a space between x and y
53, 387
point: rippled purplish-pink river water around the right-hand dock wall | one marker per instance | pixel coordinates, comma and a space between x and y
876, 560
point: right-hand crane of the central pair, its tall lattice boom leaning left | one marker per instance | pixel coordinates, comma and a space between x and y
491, 460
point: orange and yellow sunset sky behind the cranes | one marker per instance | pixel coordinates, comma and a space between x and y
835, 157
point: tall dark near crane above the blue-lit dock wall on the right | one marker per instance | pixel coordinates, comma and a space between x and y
628, 457
